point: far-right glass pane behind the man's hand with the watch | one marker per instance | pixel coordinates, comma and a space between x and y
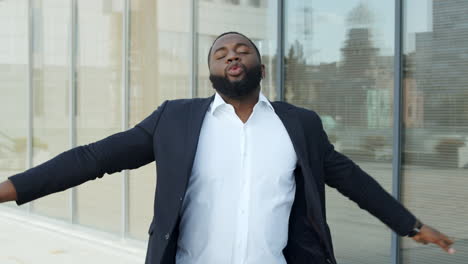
435, 157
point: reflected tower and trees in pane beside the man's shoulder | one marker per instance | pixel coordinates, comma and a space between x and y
358, 88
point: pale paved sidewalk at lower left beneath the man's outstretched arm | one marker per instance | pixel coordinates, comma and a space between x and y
26, 240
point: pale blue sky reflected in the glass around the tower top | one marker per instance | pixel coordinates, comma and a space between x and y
323, 25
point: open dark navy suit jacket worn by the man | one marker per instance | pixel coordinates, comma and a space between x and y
170, 136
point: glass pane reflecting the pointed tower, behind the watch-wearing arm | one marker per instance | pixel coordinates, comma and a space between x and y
339, 63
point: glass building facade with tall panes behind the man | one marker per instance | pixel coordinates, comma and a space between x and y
387, 78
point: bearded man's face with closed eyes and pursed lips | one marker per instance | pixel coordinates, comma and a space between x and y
235, 69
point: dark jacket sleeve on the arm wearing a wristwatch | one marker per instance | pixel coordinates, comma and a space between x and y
350, 180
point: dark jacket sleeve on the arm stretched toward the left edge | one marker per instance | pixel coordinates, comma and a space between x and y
125, 150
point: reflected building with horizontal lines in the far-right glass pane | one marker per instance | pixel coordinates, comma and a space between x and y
440, 66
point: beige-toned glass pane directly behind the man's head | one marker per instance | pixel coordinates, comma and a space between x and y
259, 24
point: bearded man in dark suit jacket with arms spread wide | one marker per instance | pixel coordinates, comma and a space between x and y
240, 179
